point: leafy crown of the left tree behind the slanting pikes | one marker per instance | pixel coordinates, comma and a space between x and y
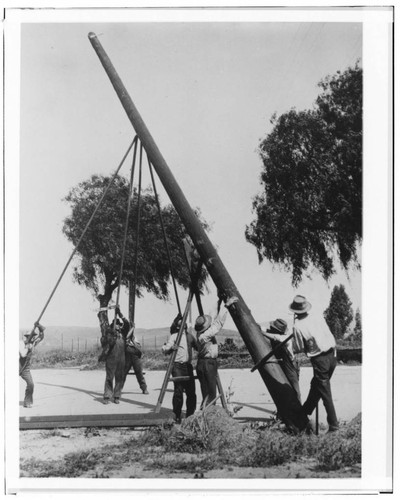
98, 258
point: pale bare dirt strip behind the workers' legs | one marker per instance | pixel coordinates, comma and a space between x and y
75, 392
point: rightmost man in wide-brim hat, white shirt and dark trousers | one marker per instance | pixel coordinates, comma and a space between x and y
319, 344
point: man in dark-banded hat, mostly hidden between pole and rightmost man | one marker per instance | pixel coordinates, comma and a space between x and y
277, 332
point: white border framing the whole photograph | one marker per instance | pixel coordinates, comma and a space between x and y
377, 246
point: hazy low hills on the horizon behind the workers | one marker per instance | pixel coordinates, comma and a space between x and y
74, 338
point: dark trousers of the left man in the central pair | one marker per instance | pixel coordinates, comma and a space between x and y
188, 387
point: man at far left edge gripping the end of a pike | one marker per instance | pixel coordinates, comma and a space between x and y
26, 348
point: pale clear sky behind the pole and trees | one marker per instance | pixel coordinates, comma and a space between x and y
206, 92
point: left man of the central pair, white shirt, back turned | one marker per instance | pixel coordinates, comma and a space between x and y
182, 367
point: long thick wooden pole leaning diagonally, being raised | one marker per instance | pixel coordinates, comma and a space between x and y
282, 393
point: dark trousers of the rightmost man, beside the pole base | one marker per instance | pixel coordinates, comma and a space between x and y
320, 388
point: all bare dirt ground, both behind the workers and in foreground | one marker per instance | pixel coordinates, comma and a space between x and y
65, 392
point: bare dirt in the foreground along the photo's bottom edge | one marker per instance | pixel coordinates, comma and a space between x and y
51, 446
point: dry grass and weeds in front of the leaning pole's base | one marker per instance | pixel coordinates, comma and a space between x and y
226, 442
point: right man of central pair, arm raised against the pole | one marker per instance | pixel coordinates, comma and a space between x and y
206, 328
